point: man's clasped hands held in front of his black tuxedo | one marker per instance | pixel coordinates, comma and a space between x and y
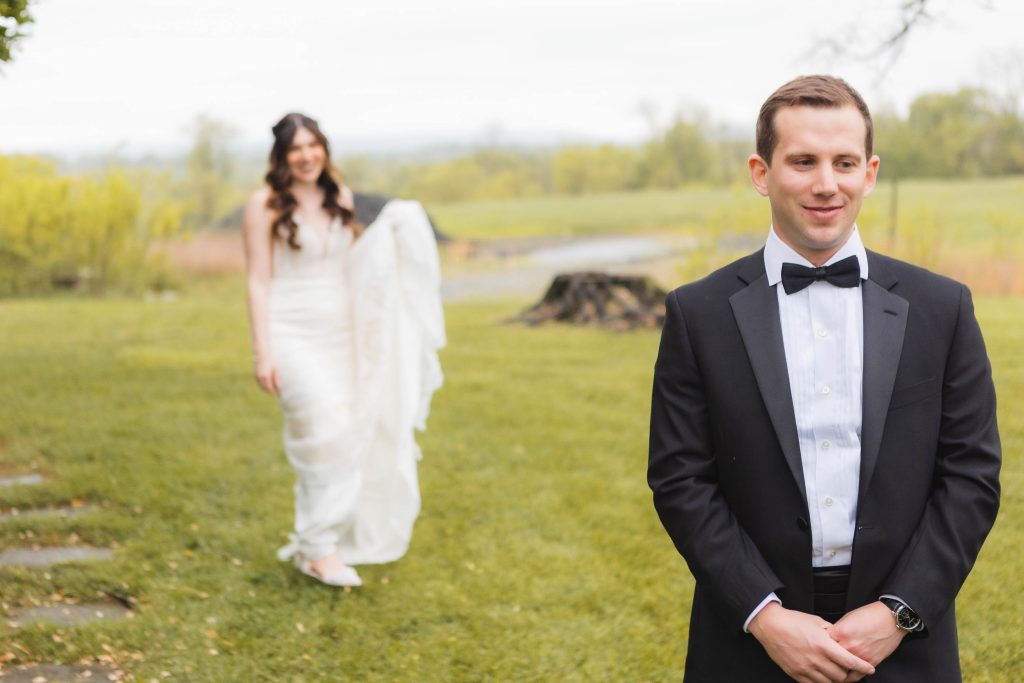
813, 651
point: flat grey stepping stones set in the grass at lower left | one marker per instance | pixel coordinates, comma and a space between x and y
60, 615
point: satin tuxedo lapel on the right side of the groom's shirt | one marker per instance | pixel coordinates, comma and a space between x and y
885, 326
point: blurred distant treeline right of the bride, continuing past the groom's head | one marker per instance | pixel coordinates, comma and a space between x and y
969, 134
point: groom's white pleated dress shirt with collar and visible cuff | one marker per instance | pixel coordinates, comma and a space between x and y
824, 332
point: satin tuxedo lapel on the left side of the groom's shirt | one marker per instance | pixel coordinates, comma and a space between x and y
756, 311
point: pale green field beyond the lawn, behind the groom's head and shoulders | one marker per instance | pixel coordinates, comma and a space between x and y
972, 231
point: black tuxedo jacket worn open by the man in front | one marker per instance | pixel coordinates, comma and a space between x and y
727, 474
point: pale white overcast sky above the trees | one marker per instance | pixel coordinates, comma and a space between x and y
388, 74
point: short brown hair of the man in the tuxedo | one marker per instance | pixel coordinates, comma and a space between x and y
824, 92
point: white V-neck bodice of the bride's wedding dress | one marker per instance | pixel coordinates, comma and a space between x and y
315, 259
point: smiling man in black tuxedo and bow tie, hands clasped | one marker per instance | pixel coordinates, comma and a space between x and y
824, 446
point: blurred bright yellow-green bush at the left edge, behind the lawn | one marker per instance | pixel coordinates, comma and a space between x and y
90, 232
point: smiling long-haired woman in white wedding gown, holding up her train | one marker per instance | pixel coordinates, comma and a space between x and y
347, 322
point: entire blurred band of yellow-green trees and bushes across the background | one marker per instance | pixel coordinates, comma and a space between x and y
97, 231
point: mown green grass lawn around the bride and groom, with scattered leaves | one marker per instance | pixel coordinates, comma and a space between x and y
538, 557
